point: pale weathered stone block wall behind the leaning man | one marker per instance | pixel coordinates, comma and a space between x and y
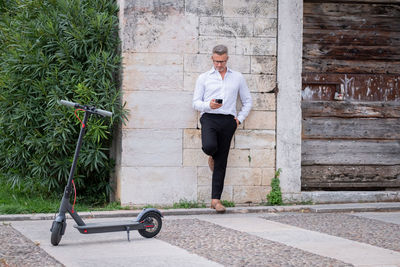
165, 46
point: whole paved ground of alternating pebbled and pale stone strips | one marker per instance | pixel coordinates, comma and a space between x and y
319, 235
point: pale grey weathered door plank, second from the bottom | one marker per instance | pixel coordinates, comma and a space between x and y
346, 152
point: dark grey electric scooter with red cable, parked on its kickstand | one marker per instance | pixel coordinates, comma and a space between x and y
148, 222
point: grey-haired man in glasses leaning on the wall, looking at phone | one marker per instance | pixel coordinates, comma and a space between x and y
215, 97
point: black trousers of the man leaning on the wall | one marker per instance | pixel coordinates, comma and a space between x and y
216, 134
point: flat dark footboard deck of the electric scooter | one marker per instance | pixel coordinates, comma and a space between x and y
93, 228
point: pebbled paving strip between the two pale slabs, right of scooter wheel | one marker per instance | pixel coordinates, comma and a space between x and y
234, 248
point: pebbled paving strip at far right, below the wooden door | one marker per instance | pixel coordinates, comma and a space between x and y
369, 231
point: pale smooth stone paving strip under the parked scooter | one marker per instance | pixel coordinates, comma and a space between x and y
108, 249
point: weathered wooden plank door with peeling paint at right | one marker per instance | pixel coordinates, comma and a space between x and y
351, 95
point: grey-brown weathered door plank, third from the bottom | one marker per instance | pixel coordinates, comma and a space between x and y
351, 128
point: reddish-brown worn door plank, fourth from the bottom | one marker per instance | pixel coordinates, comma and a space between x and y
350, 109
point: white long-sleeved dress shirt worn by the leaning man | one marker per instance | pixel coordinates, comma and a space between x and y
210, 85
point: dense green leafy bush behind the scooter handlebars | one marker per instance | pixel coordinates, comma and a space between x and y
52, 50
